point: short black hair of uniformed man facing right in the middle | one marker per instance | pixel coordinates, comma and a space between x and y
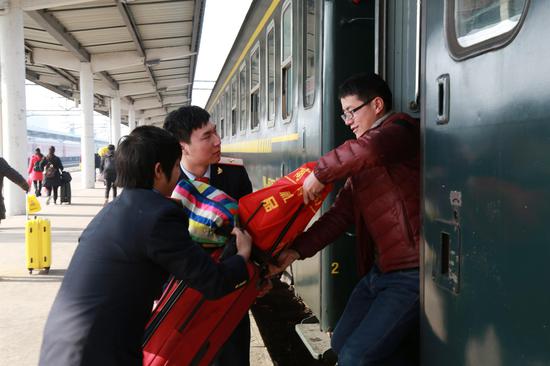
184, 120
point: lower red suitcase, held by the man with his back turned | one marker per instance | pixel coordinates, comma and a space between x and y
187, 329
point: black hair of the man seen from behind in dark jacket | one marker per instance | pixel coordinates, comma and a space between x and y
138, 153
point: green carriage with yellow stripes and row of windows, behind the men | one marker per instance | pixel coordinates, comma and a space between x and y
275, 104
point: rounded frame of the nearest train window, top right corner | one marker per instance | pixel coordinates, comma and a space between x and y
459, 52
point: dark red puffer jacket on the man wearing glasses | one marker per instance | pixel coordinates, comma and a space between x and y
381, 197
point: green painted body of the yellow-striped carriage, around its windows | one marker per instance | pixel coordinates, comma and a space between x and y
325, 281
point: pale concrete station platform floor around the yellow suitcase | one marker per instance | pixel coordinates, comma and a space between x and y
26, 299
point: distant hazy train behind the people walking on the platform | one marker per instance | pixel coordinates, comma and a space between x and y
67, 147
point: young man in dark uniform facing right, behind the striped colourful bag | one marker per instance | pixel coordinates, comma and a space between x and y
201, 160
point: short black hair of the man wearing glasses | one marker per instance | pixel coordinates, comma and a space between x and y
367, 86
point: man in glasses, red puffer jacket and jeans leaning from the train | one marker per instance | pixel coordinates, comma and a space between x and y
381, 197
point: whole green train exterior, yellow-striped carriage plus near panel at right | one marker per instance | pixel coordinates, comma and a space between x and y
482, 72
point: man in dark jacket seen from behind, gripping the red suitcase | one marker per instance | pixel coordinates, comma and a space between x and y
125, 255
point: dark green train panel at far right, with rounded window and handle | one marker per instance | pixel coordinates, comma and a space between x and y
486, 130
